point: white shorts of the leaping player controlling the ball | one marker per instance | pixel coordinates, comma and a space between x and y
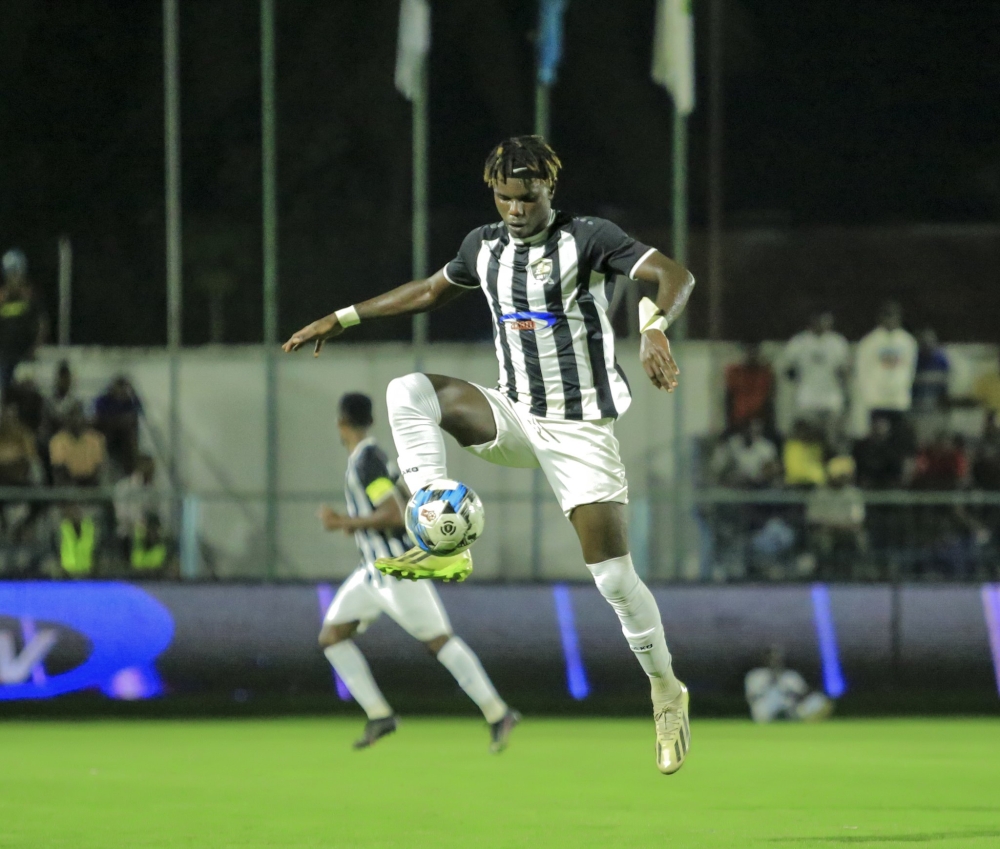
579, 459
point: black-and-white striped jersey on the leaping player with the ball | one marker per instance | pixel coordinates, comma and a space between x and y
550, 326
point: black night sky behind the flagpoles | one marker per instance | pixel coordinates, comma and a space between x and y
837, 112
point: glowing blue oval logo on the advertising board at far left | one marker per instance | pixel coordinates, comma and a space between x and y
126, 629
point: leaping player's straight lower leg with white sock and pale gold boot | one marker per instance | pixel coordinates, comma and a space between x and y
602, 530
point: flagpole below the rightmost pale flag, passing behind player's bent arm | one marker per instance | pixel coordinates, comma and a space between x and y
682, 497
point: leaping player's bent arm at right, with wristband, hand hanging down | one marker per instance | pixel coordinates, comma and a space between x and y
673, 288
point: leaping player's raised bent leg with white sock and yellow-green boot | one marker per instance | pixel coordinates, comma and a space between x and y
420, 407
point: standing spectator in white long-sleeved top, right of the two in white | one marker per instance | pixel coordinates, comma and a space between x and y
885, 367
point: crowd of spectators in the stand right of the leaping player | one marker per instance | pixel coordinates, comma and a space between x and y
876, 421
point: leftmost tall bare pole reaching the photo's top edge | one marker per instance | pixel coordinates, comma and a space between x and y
172, 145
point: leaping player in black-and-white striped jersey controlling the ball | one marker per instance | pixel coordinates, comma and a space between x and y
544, 275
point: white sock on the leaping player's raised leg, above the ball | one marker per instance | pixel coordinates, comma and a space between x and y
415, 417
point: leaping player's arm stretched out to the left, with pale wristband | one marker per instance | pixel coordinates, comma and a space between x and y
410, 298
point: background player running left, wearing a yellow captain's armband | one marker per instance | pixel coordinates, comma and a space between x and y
375, 517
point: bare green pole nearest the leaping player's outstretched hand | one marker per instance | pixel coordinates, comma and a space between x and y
270, 251
